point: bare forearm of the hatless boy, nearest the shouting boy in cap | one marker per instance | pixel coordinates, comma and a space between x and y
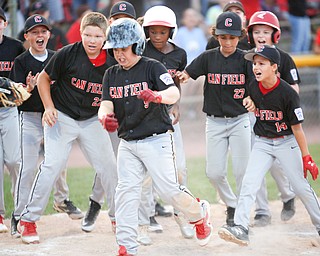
43, 84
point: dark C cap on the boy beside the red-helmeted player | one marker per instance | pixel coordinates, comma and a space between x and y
228, 23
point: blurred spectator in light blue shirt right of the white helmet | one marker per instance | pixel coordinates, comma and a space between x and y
190, 36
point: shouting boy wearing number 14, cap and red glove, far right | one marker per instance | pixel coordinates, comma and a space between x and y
279, 134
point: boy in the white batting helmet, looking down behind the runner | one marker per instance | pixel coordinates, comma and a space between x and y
160, 26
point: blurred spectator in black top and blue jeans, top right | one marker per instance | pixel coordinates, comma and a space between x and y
300, 26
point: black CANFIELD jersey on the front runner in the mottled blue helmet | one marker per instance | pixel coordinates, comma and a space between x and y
138, 120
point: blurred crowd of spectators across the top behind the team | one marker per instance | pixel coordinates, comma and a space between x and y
195, 18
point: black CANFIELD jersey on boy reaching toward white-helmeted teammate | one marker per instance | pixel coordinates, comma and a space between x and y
226, 79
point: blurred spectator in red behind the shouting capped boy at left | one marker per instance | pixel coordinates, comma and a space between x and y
57, 38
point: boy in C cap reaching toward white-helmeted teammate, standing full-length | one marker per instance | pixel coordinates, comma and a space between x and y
227, 75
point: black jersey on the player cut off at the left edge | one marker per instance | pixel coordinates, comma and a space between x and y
10, 48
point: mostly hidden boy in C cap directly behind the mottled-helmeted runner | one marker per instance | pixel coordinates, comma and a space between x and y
119, 10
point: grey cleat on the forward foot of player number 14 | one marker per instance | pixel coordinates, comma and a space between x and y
235, 234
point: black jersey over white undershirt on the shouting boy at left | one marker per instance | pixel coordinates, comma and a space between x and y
23, 64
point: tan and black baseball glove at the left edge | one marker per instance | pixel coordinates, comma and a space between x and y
12, 94
